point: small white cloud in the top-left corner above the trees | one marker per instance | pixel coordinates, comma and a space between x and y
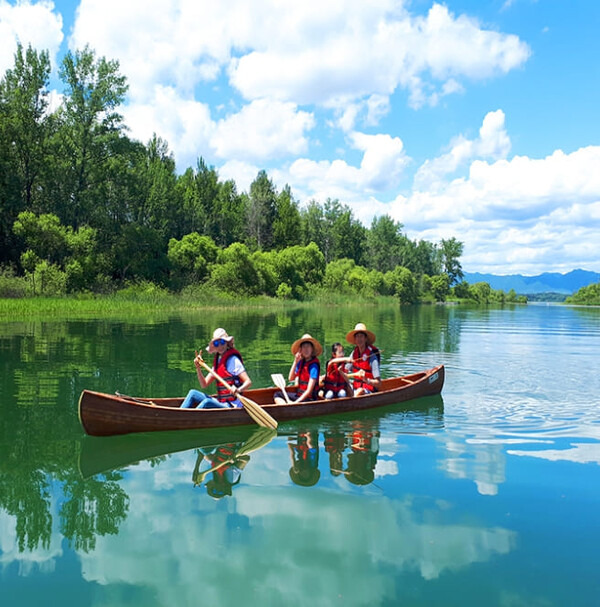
30, 24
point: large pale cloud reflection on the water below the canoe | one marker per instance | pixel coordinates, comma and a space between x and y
275, 535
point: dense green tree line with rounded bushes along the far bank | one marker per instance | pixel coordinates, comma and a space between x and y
84, 207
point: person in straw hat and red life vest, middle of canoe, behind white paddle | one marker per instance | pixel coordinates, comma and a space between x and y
305, 370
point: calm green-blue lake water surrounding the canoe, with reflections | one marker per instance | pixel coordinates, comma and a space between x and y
487, 495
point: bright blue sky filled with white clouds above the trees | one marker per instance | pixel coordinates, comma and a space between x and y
473, 119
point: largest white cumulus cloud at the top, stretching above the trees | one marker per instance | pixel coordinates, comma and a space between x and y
347, 57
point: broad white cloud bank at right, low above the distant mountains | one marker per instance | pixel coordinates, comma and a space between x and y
523, 213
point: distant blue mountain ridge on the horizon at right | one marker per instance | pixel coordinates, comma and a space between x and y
549, 282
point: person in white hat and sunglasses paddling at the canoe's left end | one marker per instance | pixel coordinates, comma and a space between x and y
228, 364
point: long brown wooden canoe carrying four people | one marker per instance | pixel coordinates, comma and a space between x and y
107, 414
